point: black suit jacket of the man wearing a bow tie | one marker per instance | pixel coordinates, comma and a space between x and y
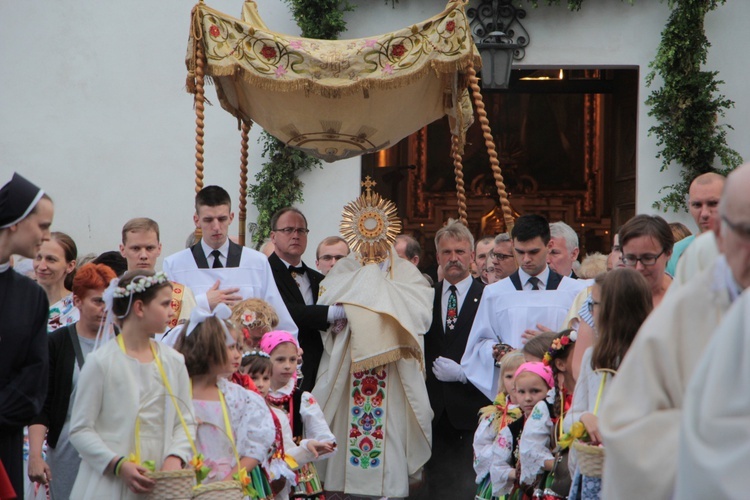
310, 320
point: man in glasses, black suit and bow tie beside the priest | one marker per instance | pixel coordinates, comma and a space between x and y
299, 286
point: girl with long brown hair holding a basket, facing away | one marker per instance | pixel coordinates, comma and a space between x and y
621, 289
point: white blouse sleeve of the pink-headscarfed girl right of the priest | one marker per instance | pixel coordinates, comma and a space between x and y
534, 447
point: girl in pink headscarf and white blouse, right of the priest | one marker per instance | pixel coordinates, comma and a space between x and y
519, 461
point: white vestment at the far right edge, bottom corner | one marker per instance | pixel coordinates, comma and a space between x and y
714, 442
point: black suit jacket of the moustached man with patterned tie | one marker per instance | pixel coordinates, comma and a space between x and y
461, 401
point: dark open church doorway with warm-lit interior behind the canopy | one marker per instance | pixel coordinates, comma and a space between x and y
566, 141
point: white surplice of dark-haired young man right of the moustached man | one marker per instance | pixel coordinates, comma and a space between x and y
504, 314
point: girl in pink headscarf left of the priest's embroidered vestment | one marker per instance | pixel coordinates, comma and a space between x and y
283, 350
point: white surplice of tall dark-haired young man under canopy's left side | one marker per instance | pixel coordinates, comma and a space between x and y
253, 277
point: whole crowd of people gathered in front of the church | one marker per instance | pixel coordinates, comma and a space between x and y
508, 376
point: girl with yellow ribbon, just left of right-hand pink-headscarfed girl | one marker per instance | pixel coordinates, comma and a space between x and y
492, 420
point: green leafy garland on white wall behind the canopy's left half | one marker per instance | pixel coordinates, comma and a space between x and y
277, 185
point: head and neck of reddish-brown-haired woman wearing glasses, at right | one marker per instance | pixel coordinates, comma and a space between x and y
646, 242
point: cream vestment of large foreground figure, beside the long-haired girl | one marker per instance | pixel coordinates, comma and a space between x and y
640, 418
